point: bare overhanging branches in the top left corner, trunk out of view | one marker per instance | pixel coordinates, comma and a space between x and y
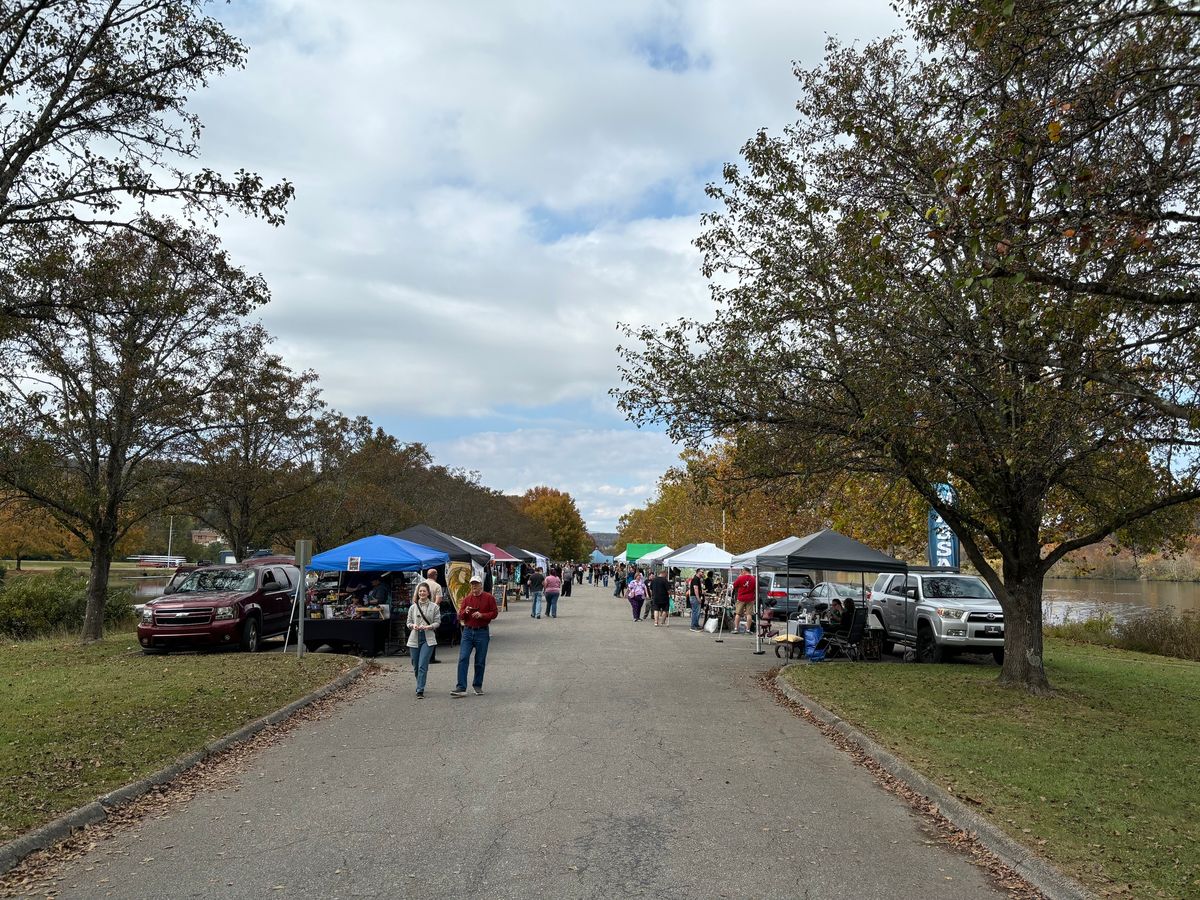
95, 128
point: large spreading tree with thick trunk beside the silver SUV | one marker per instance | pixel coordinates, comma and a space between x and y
863, 326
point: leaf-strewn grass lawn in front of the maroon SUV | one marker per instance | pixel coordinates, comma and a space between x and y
79, 722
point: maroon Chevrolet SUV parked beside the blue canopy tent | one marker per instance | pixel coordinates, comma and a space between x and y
223, 607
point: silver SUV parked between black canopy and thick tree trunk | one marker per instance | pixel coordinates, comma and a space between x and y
940, 614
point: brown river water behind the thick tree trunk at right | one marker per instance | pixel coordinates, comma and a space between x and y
1077, 599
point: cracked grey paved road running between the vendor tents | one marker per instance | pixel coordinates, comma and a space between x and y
607, 760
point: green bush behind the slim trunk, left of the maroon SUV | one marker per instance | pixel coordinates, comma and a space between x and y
39, 605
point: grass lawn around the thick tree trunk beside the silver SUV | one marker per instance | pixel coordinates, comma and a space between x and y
1102, 779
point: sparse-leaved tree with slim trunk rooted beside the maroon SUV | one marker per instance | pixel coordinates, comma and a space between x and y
101, 409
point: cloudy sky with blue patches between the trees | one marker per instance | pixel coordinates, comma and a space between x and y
484, 189
